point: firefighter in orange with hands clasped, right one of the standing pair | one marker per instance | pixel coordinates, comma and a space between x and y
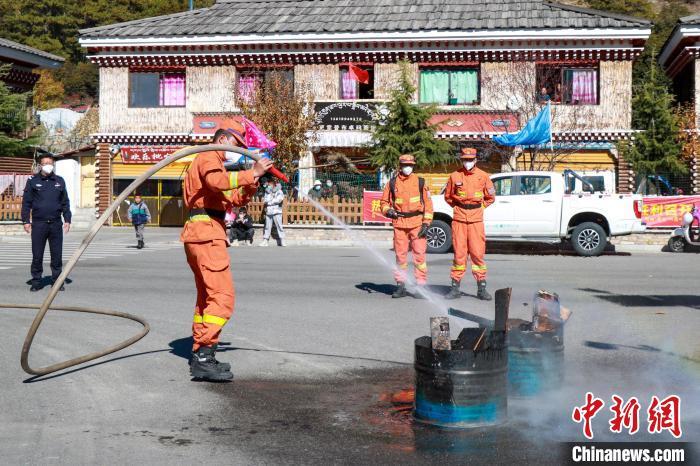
469, 191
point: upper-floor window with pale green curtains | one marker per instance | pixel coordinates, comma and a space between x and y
455, 86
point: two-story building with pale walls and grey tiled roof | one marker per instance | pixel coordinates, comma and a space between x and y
163, 79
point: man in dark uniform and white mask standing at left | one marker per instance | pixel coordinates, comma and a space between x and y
46, 198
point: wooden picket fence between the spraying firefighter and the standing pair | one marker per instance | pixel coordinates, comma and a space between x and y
301, 212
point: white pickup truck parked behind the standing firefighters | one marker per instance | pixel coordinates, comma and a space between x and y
540, 207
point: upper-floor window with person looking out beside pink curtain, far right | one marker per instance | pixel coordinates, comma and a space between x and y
566, 85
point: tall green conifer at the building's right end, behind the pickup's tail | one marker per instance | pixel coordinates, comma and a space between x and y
655, 149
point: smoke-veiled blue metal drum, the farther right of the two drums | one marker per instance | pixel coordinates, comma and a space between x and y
535, 362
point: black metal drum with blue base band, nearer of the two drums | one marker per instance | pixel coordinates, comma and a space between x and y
462, 387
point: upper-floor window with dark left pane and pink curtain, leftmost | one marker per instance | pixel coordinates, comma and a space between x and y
156, 89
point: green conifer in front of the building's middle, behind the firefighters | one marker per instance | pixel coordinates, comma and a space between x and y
406, 130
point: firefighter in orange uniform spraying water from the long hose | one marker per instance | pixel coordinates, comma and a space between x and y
209, 191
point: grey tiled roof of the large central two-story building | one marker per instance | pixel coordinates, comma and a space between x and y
232, 17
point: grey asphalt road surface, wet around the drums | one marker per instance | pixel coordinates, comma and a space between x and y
316, 345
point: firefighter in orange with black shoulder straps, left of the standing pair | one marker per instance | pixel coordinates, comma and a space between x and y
406, 201
